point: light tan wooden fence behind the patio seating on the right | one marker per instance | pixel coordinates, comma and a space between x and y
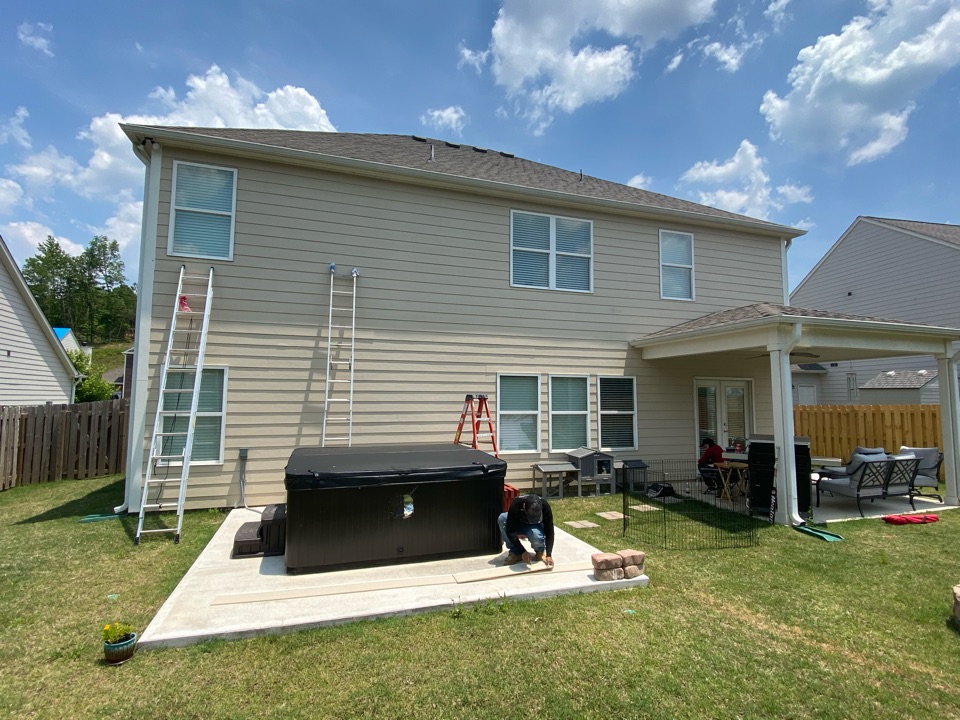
835, 430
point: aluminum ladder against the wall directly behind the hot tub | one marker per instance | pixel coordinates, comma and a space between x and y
338, 381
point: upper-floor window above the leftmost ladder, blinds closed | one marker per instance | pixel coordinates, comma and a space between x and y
203, 211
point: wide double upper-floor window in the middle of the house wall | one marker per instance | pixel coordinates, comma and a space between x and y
551, 252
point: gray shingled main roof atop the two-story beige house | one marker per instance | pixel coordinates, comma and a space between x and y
455, 159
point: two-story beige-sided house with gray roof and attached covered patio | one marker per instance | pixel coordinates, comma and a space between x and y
591, 313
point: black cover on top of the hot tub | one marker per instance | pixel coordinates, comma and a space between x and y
367, 465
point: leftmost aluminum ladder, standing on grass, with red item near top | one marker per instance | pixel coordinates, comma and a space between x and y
181, 373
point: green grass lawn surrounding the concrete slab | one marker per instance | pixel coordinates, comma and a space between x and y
794, 628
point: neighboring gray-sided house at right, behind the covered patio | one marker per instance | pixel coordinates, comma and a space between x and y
884, 268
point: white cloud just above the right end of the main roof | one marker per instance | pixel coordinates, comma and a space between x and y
746, 186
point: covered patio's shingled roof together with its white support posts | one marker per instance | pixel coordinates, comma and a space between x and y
789, 335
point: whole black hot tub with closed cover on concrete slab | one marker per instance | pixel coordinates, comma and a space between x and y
351, 506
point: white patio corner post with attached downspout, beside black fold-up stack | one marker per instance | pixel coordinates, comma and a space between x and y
783, 432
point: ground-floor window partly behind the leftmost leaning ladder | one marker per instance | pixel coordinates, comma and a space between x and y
211, 411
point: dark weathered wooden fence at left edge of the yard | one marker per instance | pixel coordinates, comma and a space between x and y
44, 443
